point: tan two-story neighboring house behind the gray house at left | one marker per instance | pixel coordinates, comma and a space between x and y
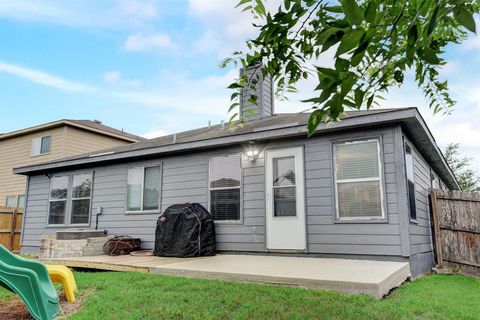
48, 142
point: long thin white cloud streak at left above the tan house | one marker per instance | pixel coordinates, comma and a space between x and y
44, 78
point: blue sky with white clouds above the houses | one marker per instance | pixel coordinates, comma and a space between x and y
151, 68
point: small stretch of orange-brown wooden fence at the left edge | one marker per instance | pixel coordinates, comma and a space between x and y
10, 228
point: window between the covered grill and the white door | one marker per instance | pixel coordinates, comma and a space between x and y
224, 182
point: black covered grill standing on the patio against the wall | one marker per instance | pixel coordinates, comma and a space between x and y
185, 230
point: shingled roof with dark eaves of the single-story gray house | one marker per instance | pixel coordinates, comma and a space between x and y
278, 126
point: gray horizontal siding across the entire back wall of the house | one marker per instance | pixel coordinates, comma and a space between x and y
185, 179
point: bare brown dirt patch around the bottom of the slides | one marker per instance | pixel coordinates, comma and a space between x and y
14, 309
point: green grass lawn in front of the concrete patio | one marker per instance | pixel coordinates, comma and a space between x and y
142, 296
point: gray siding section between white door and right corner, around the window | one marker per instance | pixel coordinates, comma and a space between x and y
326, 236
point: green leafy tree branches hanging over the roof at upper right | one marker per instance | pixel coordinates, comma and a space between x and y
378, 41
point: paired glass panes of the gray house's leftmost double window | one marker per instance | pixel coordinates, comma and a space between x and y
70, 199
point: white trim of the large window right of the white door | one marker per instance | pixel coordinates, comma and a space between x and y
379, 179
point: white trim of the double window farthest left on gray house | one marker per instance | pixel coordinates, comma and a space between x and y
68, 205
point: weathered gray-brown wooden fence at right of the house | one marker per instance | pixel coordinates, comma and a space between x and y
456, 224
